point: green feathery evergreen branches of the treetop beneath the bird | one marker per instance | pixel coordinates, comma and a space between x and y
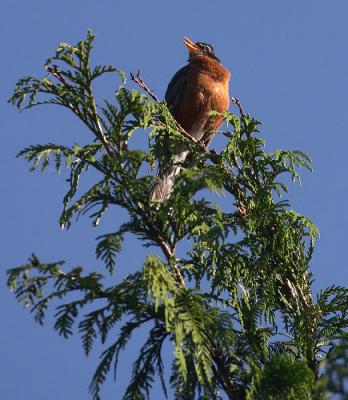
236, 304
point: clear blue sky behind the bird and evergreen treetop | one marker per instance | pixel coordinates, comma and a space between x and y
289, 64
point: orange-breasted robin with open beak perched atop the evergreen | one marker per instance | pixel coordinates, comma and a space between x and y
195, 90
